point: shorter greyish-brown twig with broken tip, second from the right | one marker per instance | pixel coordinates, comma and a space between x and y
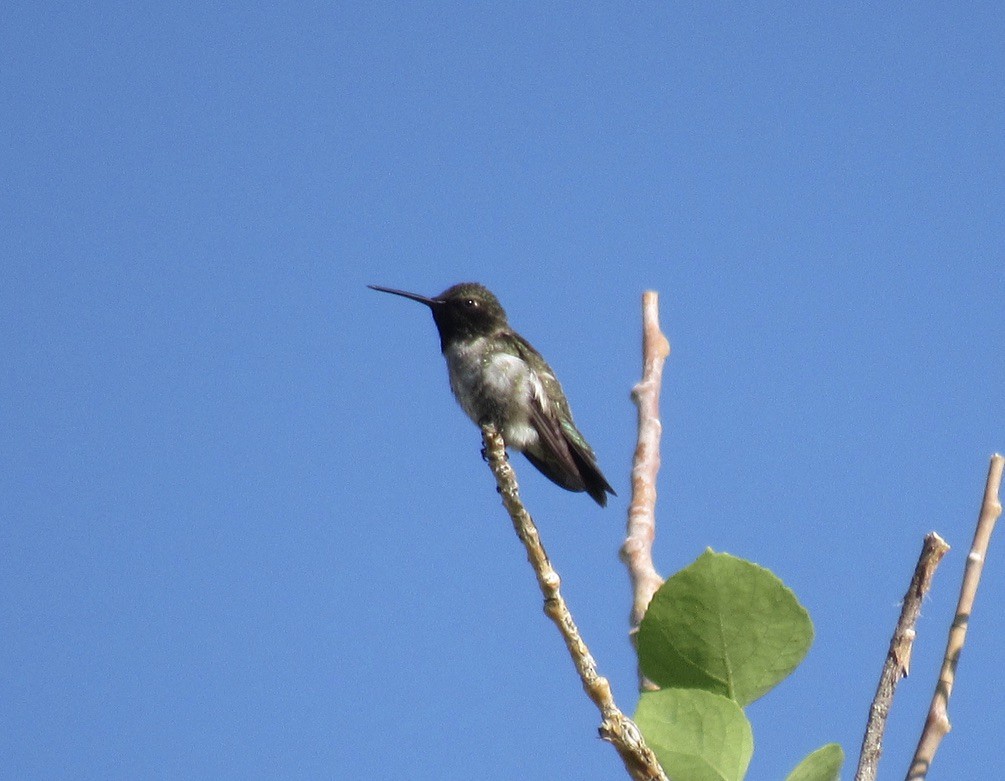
898, 663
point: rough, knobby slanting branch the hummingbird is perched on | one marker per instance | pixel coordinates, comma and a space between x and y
616, 727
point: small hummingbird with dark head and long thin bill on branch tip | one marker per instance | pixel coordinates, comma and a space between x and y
498, 377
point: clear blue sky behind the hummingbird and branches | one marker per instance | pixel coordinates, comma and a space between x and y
247, 532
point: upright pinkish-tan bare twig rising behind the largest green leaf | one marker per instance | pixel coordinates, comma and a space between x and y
637, 552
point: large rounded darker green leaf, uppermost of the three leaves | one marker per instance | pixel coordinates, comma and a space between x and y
724, 626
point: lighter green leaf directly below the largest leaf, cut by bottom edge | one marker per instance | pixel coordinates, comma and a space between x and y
696, 735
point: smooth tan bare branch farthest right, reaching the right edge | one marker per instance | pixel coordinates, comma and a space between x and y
937, 724
